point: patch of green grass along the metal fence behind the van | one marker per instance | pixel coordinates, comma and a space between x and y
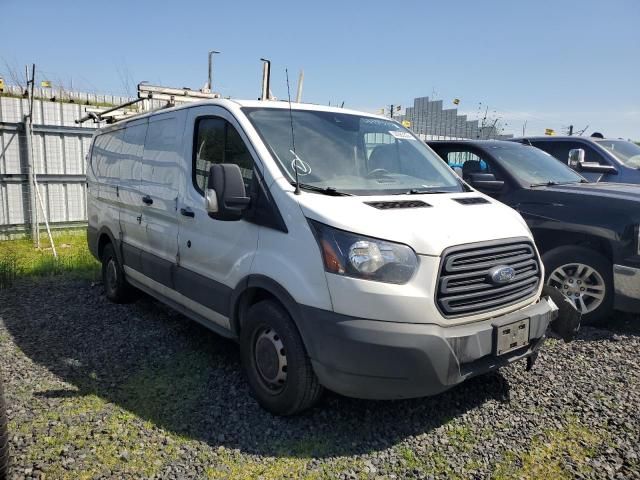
19, 258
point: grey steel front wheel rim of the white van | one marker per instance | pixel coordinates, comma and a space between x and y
270, 359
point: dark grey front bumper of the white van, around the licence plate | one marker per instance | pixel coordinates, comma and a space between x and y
388, 360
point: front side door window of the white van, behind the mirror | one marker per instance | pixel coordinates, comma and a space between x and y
217, 141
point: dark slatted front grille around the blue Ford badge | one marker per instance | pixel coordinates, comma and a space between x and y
465, 286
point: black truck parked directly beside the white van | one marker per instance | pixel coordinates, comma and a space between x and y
587, 233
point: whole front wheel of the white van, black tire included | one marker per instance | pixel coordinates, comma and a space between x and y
268, 329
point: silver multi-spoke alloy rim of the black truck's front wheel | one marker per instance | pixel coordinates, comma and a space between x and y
581, 284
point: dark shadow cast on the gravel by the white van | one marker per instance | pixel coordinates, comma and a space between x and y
171, 371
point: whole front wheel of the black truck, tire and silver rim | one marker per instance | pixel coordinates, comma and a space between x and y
585, 277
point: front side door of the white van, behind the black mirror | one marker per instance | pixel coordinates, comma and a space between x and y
213, 255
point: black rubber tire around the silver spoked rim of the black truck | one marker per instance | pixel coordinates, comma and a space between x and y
566, 256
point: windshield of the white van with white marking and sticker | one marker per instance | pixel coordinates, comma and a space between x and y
350, 153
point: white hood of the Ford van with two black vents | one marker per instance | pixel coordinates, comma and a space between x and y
442, 223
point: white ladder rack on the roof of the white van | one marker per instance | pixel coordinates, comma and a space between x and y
170, 95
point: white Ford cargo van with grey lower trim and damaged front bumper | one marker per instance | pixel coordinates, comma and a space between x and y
378, 273
